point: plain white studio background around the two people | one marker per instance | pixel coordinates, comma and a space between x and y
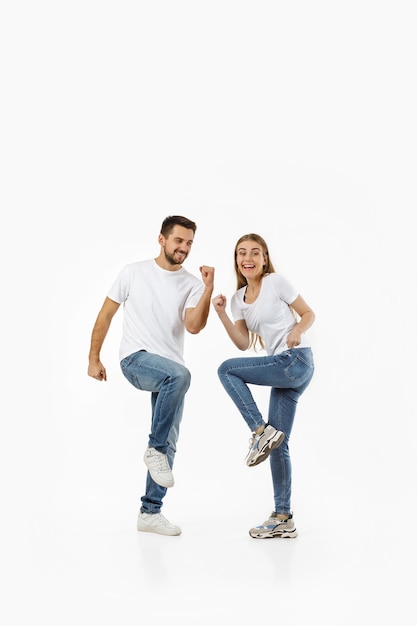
294, 120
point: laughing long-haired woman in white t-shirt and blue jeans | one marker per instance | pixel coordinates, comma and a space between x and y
269, 312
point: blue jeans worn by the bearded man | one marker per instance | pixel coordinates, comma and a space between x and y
168, 382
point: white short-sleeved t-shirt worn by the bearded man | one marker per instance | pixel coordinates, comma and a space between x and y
154, 301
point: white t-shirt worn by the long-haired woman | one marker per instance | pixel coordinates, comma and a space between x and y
269, 316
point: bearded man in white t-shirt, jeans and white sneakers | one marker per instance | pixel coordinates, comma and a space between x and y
161, 300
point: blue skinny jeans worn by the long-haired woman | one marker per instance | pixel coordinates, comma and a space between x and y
288, 374
